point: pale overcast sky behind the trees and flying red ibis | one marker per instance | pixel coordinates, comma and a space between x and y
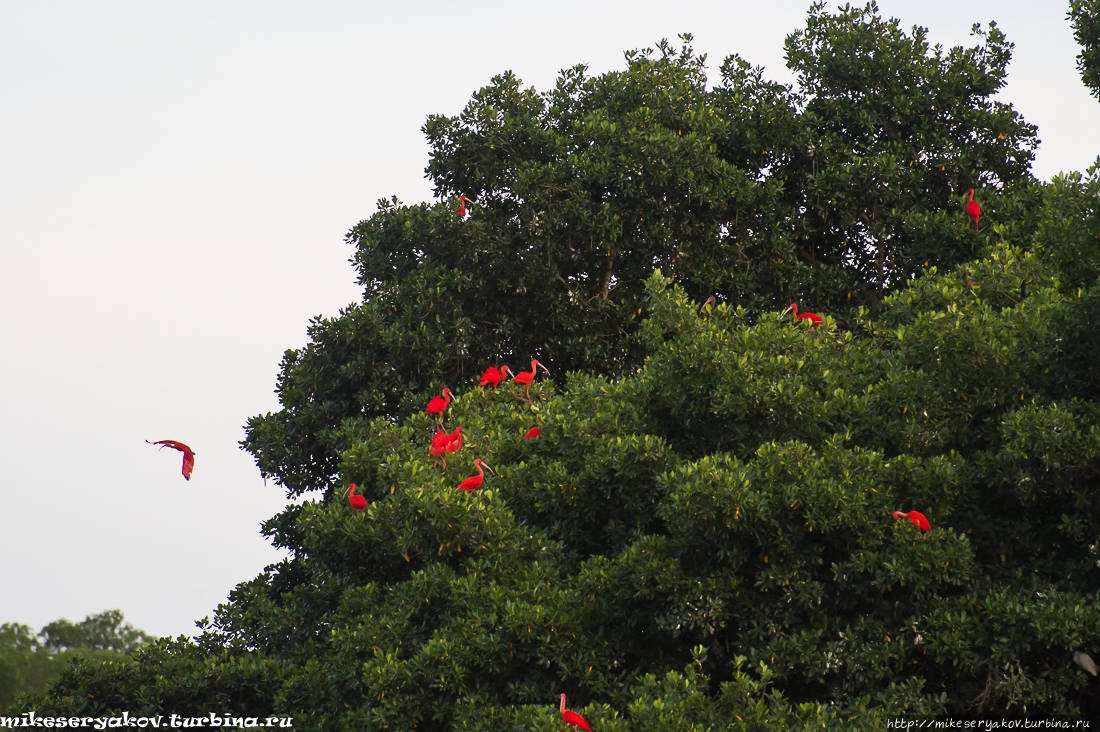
177, 180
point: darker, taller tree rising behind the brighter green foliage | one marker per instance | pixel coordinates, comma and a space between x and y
755, 194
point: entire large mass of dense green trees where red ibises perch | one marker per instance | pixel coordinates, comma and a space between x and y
702, 536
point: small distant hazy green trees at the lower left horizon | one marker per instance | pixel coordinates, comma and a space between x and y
29, 662
